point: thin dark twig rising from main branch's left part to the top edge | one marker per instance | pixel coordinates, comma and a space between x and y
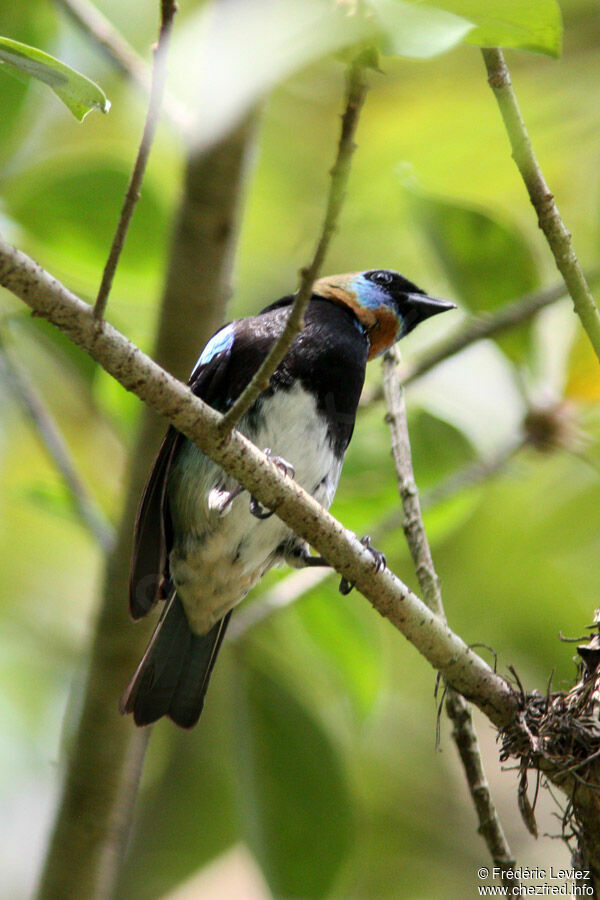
159, 74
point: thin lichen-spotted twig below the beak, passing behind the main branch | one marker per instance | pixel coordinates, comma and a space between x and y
458, 709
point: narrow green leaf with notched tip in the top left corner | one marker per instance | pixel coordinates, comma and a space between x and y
78, 93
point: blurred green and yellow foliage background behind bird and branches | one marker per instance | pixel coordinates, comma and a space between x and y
314, 771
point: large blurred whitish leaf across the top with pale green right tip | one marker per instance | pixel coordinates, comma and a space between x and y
230, 54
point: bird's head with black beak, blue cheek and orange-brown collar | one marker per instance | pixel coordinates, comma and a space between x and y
385, 303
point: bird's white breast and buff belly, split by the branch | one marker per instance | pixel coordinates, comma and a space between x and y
215, 560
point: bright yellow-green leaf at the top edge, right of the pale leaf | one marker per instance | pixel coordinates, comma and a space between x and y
525, 24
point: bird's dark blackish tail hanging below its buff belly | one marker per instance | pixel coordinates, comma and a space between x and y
174, 672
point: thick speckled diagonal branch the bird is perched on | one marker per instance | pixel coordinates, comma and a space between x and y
431, 636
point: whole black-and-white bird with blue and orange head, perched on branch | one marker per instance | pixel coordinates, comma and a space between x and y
199, 545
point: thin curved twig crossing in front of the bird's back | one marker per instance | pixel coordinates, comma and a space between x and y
356, 90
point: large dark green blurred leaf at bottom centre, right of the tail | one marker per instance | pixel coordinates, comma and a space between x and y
295, 798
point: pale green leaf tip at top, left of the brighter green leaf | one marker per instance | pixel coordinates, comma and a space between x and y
410, 29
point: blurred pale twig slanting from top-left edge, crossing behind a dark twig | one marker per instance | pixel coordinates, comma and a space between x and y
121, 54
